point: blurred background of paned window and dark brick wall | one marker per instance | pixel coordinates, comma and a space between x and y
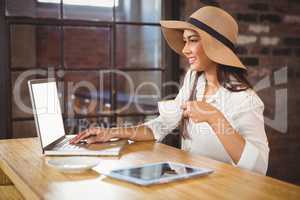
80, 40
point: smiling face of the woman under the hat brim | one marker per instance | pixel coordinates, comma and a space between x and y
194, 51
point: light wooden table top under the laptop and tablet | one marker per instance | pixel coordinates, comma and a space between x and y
22, 162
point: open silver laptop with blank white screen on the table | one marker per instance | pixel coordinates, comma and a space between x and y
50, 127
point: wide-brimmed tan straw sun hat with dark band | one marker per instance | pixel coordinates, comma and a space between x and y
217, 29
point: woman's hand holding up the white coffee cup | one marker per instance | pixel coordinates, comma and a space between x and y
200, 111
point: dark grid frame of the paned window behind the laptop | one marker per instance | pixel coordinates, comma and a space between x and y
61, 23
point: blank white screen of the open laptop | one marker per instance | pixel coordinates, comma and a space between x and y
48, 112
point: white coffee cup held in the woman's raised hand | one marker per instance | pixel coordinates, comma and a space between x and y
169, 109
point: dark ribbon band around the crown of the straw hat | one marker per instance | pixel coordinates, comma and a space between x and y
212, 32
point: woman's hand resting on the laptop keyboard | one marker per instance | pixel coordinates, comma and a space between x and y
93, 135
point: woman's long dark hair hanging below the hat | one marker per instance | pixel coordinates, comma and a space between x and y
232, 78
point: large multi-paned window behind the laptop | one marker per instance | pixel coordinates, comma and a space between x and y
106, 56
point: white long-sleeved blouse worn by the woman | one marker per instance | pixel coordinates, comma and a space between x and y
243, 110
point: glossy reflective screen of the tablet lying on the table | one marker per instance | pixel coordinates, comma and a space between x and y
157, 171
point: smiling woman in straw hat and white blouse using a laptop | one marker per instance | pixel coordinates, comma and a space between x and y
222, 115
